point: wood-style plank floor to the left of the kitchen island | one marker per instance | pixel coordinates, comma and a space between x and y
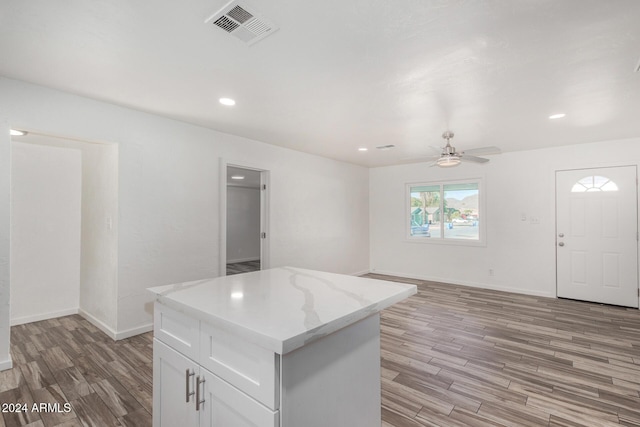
67, 359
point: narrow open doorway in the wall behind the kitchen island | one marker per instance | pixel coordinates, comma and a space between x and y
244, 221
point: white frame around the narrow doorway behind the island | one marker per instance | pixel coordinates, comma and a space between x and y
265, 255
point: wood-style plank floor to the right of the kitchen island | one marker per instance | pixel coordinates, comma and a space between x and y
459, 356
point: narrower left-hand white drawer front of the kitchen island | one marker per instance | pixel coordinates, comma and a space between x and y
177, 330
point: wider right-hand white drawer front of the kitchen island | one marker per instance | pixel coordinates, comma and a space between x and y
250, 368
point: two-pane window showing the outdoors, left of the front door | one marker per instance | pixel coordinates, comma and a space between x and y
445, 211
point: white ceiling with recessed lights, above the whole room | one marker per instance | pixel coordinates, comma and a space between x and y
339, 75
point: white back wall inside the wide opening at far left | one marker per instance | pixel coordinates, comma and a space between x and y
45, 232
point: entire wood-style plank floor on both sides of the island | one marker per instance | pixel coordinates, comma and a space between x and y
451, 356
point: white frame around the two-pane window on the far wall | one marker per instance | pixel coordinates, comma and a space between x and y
482, 213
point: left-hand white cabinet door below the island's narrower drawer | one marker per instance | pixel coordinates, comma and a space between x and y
172, 403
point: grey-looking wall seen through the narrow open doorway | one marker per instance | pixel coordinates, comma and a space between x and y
243, 223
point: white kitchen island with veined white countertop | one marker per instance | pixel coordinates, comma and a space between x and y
284, 347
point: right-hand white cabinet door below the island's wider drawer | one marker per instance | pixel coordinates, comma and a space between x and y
225, 406
